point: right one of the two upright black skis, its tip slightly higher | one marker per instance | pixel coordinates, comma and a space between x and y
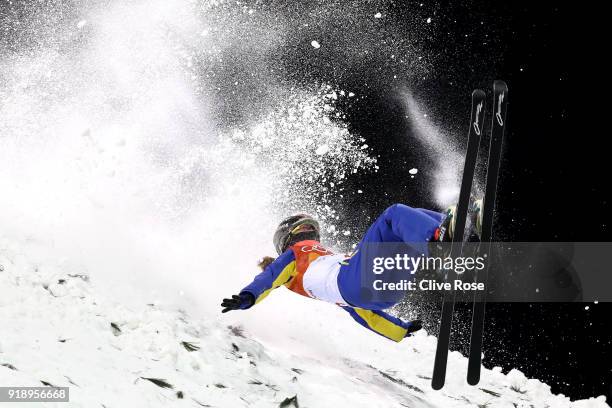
500, 103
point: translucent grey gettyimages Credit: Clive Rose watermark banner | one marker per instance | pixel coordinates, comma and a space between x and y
501, 271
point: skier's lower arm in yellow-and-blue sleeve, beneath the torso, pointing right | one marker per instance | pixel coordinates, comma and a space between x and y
382, 323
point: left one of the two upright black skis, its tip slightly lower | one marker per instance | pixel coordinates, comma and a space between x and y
446, 317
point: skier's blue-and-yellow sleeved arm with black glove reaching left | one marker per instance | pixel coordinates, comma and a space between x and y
274, 275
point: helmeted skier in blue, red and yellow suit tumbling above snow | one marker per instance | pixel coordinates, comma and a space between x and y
306, 267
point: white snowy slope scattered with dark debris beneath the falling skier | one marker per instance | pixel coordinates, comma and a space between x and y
59, 327
